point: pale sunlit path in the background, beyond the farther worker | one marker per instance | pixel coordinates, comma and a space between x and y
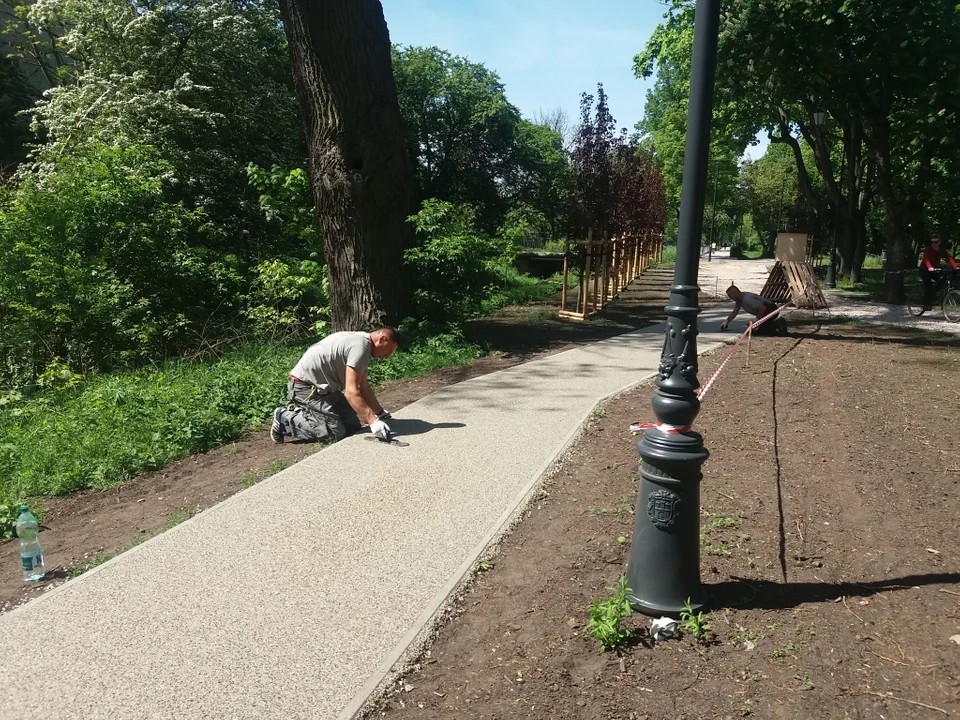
751, 275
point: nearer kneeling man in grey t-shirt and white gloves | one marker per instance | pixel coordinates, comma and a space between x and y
328, 389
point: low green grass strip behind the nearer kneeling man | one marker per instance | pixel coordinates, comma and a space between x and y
107, 429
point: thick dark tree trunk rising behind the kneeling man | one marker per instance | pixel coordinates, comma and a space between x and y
360, 171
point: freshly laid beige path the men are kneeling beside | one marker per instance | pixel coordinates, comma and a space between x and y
283, 601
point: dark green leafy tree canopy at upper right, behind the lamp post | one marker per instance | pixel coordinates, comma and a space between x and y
885, 75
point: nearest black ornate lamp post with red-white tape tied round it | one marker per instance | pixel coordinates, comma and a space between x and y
663, 569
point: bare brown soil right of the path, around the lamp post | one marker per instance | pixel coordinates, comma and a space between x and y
829, 549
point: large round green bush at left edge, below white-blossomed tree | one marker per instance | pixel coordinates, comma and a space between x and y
100, 269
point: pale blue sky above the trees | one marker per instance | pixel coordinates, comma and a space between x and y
546, 51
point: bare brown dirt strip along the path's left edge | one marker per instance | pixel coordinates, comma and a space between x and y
80, 527
